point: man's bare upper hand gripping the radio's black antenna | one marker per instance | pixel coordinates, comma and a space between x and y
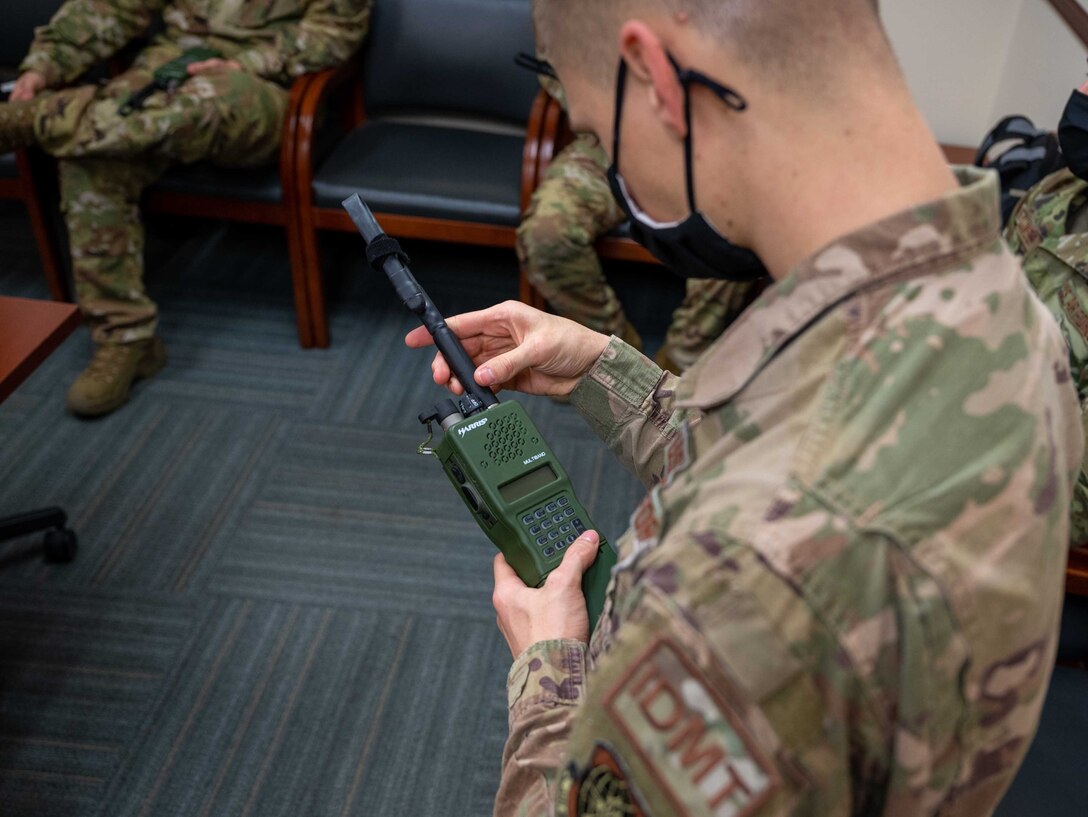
520, 348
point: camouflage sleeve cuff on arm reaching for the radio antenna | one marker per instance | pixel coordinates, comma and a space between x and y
628, 402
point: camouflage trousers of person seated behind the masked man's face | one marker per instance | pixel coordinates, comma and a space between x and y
572, 208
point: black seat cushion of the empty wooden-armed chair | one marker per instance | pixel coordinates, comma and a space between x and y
427, 170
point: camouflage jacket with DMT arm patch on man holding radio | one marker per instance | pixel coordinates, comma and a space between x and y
842, 595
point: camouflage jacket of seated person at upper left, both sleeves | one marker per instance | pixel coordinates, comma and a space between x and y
276, 41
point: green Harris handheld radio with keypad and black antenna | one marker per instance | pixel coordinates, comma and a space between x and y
505, 473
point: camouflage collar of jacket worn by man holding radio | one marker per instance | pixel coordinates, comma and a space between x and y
910, 243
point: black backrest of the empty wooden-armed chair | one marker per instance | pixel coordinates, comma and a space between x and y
450, 56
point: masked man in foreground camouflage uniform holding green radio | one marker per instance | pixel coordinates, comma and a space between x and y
842, 593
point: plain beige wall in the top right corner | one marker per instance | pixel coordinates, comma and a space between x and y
971, 63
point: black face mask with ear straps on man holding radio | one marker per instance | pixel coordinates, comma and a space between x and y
691, 249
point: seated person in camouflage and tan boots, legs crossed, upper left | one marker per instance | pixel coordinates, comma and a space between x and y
230, 113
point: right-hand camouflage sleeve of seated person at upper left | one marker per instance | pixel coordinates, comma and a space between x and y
329, 33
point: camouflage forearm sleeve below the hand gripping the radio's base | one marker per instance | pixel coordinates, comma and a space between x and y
543, 688
